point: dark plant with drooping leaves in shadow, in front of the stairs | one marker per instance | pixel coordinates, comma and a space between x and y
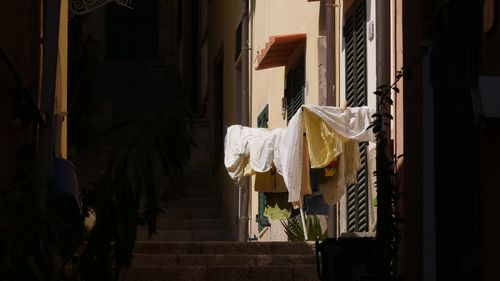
128, 182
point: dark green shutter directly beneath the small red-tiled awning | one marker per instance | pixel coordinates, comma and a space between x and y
295, 89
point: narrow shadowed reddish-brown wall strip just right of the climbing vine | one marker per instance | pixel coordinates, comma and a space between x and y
412, 173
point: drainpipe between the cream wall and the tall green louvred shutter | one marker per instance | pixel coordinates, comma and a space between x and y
330, 93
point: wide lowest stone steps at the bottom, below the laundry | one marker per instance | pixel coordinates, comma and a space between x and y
222, 260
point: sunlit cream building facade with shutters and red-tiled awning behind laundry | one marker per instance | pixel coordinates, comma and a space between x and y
287, 68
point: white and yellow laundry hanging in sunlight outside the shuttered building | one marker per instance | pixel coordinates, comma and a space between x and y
331, 133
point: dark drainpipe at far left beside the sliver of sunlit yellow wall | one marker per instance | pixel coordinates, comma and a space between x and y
50, 46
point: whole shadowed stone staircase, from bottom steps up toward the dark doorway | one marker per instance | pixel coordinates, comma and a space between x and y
193, 239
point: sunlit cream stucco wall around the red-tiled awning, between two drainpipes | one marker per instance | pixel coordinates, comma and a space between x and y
281, 17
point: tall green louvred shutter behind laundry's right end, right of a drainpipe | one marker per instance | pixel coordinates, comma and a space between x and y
356, 95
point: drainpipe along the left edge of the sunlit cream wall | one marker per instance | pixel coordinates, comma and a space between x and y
243, 219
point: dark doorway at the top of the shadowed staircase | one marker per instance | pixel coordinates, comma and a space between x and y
132, 34
